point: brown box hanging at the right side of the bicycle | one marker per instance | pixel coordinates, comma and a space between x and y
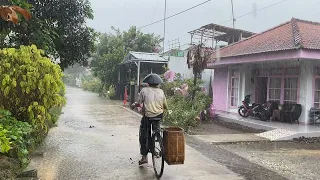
174, 145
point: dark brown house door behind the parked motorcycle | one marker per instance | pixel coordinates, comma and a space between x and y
261, 89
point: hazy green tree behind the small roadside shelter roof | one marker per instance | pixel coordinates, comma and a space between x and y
112, 47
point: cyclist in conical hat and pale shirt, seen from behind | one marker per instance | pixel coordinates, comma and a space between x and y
154, 103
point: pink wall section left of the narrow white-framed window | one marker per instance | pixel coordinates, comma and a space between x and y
220, 87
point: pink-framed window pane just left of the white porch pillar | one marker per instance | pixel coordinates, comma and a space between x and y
290, 90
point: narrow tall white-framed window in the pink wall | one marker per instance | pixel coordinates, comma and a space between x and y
234, 84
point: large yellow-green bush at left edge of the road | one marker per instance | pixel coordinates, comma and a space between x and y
30, 85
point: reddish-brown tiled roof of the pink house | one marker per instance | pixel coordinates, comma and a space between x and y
293, 34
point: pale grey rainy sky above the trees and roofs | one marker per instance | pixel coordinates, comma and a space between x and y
125, 13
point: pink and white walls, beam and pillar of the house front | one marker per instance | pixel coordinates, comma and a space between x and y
305, 94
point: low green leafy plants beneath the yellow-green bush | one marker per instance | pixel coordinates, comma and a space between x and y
18, 137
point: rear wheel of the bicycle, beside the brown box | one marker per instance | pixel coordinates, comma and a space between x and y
157, 155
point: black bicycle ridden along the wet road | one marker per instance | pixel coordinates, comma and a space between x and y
156, 151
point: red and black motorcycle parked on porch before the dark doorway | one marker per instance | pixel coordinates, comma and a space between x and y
253, 110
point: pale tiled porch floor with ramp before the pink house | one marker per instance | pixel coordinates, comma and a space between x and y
275, 130
